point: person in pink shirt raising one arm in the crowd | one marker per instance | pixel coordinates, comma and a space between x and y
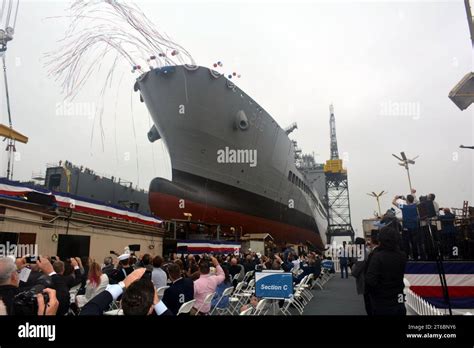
206, 284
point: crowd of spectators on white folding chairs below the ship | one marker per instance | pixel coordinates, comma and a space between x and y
82, 286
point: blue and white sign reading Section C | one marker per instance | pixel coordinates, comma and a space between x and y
275, 285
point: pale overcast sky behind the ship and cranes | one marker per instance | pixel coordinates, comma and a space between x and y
372, 60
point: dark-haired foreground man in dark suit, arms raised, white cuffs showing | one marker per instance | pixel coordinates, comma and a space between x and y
139, 297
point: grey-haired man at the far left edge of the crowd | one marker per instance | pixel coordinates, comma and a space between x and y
9, 282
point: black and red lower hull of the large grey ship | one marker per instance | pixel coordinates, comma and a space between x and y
217, 203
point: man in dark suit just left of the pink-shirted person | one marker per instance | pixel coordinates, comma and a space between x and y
180, 291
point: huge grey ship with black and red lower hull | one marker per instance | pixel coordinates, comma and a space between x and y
232, 164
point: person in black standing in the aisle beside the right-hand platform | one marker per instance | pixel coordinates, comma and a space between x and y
385, 272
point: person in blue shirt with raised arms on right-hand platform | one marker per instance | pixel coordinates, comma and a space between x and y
412, 237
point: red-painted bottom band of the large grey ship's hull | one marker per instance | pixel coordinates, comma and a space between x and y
168, 207
